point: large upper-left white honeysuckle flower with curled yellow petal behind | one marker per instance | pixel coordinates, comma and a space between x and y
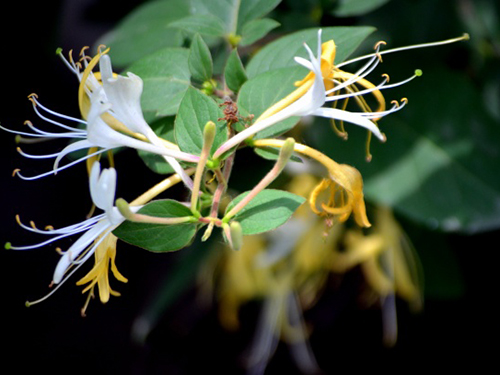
112, 118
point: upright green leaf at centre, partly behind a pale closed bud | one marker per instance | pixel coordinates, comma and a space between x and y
195, 110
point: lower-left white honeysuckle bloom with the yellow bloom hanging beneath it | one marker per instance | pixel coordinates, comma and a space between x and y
96, 237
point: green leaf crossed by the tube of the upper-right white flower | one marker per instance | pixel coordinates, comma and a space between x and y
261, 92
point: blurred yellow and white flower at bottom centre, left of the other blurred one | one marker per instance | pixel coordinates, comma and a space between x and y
243, 278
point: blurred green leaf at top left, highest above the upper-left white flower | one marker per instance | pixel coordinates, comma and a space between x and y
145, 30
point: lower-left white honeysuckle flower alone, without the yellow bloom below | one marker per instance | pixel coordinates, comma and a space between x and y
95, 229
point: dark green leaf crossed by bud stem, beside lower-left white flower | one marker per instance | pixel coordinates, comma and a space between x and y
159, 238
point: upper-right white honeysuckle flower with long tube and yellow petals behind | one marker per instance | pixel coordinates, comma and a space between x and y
322, 85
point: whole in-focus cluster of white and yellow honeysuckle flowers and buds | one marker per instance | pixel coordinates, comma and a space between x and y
111, 117
